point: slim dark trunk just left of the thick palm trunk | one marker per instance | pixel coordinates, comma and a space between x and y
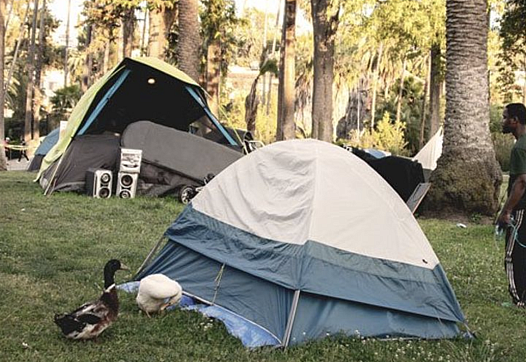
435, 87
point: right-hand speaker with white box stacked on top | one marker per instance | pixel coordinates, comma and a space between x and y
128, 175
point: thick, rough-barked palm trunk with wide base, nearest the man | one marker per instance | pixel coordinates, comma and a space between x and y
467, 178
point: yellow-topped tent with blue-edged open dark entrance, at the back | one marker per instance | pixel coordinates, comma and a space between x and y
135, 90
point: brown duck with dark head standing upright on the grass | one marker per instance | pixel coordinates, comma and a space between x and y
91, 319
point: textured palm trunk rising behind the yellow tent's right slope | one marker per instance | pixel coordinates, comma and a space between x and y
189, 38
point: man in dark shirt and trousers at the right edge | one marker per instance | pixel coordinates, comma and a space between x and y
512, 213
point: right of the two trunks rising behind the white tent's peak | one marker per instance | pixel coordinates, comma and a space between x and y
323, 64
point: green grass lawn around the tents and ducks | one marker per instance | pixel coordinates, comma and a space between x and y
53, 249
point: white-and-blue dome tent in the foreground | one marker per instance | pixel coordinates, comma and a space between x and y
303, 240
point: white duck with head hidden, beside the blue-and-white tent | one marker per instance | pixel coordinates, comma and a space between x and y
157, 292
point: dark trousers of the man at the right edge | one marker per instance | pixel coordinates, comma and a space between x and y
515, 259
